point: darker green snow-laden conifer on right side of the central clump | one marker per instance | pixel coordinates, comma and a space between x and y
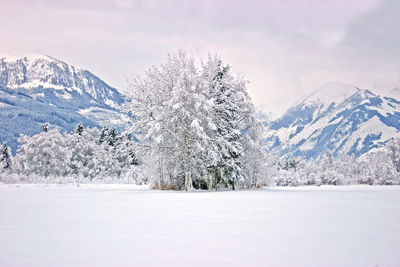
232, 123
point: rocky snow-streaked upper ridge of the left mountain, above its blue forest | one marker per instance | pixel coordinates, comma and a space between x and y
35, 71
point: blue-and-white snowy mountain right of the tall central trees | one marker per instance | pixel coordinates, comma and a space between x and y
337, 117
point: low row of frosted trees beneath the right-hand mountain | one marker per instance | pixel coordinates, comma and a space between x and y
381, 167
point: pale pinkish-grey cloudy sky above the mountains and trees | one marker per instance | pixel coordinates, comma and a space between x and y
284, 48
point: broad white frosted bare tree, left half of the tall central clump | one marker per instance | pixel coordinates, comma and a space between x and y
169, 104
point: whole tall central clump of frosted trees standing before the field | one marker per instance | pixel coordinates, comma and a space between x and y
191, 120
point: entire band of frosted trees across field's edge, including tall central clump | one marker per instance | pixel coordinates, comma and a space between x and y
194, 127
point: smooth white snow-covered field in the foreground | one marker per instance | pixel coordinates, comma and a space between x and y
122, 225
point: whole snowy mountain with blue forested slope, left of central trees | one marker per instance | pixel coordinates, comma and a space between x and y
36, 89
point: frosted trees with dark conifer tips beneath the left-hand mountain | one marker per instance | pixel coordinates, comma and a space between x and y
86, 155
